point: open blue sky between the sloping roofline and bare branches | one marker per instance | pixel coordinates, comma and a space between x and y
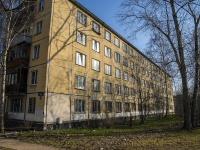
106, 11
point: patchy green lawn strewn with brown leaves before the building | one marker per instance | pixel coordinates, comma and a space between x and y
153, 134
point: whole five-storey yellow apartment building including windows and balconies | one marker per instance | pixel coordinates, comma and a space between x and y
74, 67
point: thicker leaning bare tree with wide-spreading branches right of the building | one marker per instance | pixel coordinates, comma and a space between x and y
170, 18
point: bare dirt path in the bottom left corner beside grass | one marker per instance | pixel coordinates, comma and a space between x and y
17, 145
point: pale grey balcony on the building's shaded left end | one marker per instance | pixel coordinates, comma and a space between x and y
20, 39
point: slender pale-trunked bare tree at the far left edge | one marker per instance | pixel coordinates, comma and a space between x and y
15, 16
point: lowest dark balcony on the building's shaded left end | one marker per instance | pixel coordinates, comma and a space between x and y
16, 89
